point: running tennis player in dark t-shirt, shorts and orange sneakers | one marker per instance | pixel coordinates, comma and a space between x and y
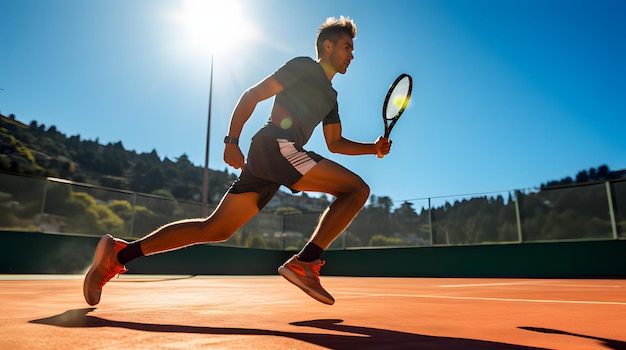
304, 98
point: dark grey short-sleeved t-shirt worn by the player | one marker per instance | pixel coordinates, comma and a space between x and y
307, 99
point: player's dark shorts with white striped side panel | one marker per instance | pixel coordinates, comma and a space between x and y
271, 163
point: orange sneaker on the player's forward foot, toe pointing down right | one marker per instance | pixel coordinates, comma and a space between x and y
305, 275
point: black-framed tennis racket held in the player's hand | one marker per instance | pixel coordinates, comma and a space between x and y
396, 101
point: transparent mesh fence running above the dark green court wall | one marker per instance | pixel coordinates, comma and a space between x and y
582, 212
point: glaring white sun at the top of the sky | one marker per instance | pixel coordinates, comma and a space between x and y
214, 26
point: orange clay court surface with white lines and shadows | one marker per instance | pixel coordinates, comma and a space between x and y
217, 312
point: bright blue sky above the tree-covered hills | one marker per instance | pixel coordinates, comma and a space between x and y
507, 94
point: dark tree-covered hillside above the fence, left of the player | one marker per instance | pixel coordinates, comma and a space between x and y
38, 150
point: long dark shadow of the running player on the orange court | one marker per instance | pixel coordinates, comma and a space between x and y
356, 337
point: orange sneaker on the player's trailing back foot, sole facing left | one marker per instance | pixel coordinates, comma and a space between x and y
105, 266
